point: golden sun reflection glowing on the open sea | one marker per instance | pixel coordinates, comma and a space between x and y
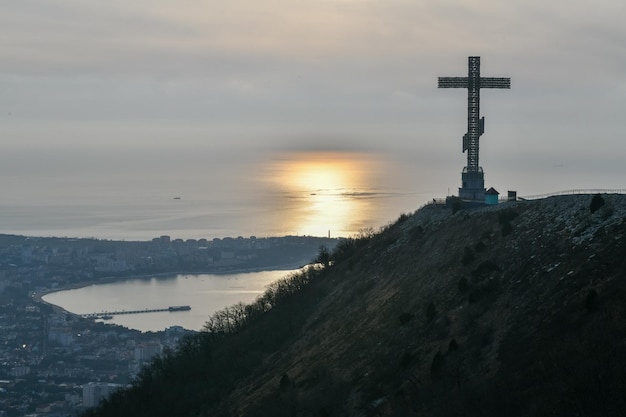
317, 193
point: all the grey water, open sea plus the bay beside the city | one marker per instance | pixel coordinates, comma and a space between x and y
138, 190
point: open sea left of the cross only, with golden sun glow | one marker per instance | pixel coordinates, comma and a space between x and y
126, 194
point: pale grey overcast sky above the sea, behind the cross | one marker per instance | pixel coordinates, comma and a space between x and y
249, 77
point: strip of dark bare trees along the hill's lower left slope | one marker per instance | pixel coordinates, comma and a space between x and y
205, 367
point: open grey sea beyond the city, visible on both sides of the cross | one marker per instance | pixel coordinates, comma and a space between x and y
141, 184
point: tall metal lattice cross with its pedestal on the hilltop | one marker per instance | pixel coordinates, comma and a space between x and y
473, 178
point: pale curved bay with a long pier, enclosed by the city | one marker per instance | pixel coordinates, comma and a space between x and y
205, 294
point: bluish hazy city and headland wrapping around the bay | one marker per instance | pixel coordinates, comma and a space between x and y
55, 363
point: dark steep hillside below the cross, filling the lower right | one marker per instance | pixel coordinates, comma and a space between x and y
512, 310
